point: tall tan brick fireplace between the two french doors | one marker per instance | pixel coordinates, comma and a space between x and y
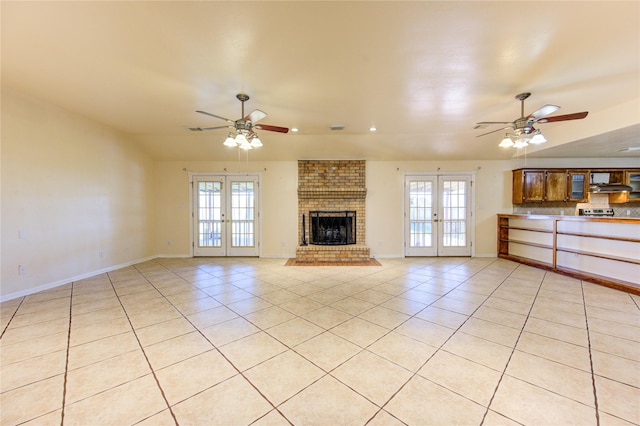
335, 187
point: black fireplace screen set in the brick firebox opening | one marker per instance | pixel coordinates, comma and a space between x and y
332, 227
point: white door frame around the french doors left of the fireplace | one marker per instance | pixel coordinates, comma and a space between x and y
226, 175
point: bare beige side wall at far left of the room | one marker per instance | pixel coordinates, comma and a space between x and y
77, 197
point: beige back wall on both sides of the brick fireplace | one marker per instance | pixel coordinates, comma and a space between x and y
279, 203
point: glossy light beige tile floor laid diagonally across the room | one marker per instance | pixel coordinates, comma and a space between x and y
241, 341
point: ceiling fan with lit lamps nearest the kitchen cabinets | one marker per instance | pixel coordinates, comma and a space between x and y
520, 132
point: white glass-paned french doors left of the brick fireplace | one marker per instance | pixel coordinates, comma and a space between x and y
225, 215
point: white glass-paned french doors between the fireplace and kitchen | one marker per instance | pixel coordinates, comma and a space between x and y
438, 215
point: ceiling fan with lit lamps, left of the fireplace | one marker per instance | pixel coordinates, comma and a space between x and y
245, 136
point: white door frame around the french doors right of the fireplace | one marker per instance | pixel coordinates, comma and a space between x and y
472, 200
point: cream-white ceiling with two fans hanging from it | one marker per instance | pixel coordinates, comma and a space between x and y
422, 72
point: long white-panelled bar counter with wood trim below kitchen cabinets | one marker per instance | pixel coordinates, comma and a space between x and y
602, 250
